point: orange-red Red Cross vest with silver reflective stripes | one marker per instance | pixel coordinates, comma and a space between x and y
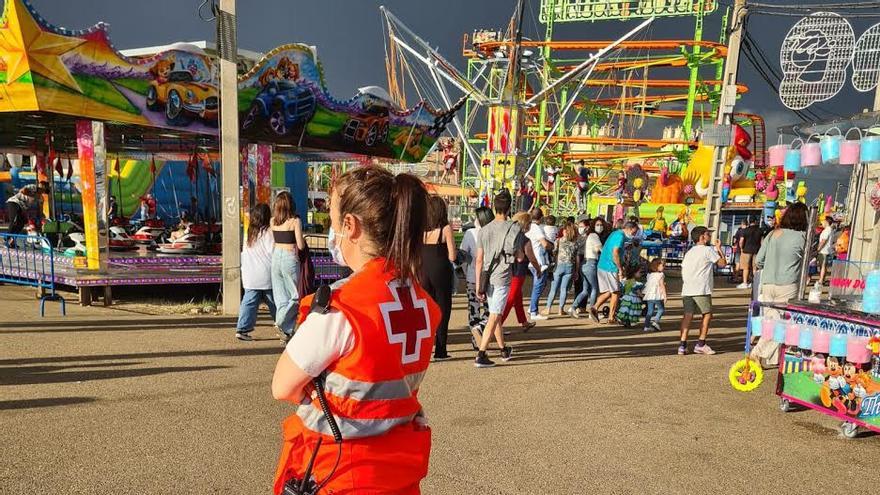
372, 391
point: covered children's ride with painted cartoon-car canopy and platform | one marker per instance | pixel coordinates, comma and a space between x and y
129, 147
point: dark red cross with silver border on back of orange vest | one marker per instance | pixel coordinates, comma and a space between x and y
407, 320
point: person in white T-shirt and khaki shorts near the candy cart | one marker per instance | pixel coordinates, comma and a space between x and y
697, 273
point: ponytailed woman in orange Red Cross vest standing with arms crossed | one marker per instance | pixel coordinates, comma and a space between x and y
370, 347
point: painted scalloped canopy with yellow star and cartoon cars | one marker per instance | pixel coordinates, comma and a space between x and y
282, 100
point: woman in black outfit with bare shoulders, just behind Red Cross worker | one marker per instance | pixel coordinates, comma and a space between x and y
438, 253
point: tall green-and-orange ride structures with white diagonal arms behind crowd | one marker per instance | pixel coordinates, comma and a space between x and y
607, 128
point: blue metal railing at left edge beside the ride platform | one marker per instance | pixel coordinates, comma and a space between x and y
29, 260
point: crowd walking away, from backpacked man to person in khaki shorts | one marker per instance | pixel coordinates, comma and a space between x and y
601, 266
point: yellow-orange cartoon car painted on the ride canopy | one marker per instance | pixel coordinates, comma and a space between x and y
183, 99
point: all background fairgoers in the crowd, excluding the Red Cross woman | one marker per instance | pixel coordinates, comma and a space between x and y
578, 267
